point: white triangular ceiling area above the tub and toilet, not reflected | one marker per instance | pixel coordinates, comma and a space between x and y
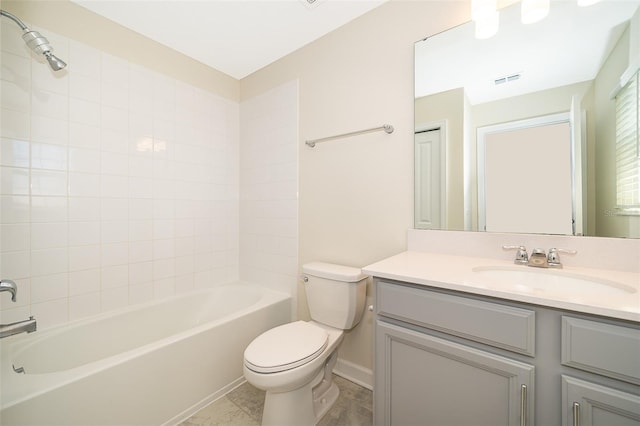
237, 37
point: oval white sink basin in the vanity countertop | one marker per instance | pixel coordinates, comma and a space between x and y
539, 280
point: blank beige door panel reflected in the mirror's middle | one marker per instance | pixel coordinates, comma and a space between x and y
525, 177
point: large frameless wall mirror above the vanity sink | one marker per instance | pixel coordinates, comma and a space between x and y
517, 132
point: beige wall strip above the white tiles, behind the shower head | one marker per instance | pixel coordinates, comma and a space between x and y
73, 21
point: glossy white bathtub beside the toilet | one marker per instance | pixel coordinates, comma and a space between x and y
152, 364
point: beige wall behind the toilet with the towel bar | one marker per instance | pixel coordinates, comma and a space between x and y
356, 194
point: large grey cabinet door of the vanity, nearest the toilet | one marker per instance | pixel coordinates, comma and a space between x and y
425, 380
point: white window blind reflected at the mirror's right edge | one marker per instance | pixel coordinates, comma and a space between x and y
628, 147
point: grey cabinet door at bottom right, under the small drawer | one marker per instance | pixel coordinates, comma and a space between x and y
589, 404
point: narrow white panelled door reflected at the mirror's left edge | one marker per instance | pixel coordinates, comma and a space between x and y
429, 177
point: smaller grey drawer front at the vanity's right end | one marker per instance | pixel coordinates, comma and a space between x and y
607, 349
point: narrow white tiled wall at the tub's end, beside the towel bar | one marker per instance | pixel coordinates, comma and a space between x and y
269, 188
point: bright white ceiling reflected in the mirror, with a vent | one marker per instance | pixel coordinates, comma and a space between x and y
570, 45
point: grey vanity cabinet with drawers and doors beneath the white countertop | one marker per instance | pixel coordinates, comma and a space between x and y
449, 358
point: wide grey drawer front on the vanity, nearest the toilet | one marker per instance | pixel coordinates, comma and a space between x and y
494, 324
